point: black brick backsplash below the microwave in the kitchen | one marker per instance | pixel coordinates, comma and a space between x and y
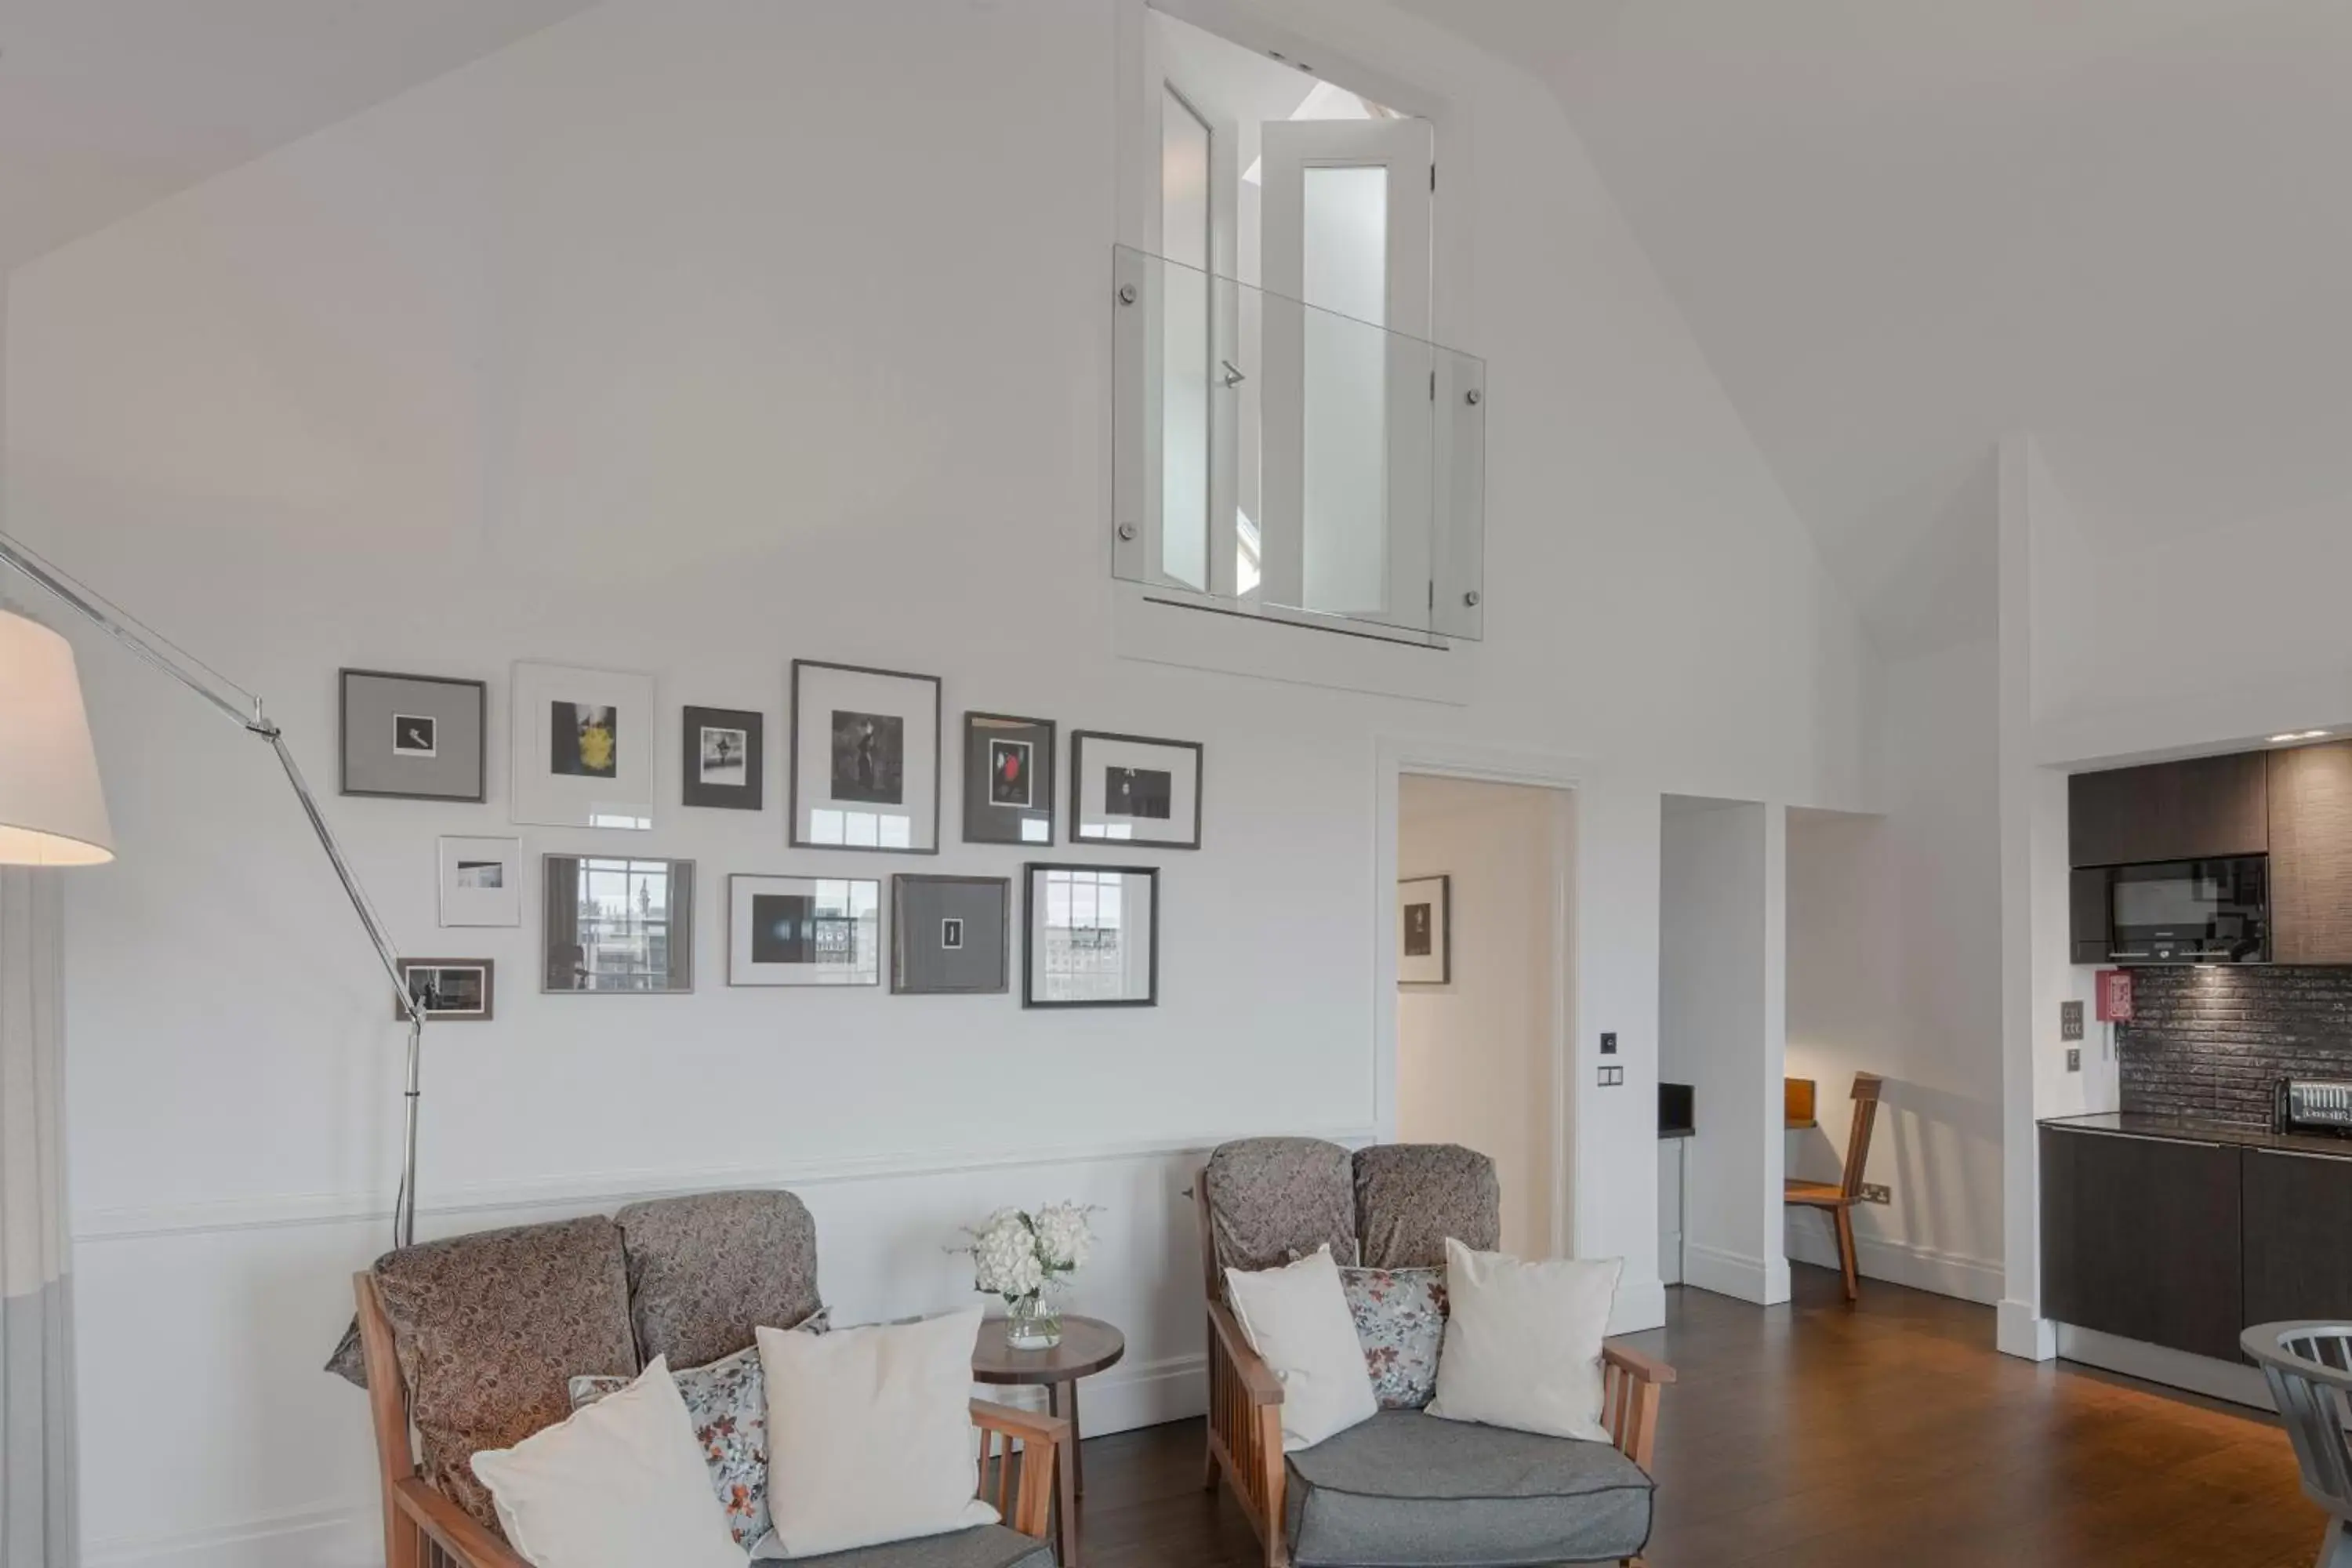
2214, 1043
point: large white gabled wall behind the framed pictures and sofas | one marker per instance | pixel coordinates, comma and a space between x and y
693, 340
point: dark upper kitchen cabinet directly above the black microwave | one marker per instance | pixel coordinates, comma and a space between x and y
2198, 810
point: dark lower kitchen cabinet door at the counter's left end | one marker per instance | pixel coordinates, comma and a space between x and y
2141, 1238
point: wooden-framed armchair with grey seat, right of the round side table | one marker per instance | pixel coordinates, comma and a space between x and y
1401, 1489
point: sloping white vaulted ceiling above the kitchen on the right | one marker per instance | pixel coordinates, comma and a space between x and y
1909, 227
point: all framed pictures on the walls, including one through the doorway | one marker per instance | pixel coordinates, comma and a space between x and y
864, 775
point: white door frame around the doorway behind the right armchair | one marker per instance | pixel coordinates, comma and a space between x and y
1396, 758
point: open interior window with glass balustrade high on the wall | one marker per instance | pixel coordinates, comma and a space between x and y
1290, 438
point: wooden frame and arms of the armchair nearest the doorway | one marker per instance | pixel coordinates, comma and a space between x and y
1245, 1407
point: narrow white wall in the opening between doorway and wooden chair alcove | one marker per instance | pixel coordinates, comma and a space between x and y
1723, 1031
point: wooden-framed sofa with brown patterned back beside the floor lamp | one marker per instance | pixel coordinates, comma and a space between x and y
469, 1343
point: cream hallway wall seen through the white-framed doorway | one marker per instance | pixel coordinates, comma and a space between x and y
1476, 1057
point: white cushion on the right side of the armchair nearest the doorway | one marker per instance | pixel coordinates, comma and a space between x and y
1525, 1343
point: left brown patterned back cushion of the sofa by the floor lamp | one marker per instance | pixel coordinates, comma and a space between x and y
493, 1327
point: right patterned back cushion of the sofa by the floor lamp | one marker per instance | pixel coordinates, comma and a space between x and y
707, 1271
